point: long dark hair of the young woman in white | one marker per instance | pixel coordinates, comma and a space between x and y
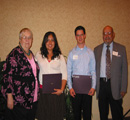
56, 50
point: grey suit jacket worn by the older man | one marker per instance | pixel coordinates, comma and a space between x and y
119, 70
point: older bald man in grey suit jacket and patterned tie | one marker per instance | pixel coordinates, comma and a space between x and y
112, 75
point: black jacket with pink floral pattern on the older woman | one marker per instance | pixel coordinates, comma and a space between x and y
18, 78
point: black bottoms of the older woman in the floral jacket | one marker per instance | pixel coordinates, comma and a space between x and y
20, 113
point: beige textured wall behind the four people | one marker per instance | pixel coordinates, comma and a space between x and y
62, 16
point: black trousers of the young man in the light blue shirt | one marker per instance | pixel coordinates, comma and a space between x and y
82, 102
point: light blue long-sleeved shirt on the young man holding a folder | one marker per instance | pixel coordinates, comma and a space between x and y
81, 61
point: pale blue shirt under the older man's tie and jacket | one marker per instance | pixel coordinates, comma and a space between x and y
103, 59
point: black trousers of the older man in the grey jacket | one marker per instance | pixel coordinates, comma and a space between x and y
106, 99
